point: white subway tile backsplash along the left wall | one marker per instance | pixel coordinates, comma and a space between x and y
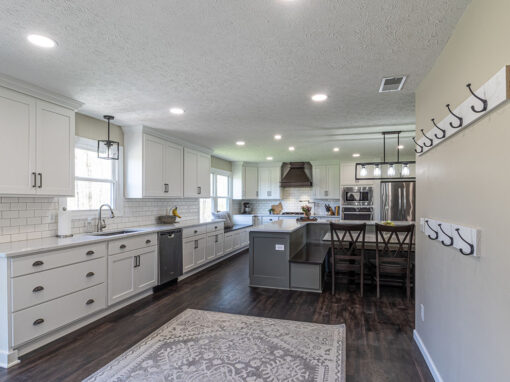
27, 218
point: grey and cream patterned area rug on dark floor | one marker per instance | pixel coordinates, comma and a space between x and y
208, 346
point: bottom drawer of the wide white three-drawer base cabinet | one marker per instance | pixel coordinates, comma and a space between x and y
41, 319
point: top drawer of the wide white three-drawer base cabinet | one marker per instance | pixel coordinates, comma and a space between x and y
48, 260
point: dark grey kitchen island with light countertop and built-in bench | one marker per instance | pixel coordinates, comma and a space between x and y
289, 254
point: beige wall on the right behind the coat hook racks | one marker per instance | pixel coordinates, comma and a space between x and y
465, 180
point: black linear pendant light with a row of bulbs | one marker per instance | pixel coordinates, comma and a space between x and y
385, 170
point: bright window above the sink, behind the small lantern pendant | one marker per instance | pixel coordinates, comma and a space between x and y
96, 180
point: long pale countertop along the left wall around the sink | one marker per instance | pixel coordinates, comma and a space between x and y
27, 247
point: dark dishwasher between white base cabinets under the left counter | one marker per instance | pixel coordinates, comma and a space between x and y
170, 255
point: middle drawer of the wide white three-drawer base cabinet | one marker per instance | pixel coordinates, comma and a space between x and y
34, 289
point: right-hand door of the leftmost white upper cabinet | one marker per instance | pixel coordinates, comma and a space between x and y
54, 149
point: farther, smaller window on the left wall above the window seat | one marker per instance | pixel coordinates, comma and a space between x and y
221, 194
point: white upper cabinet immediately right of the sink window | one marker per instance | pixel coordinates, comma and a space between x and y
153, 166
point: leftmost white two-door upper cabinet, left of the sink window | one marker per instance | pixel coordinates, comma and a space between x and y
37, 146
